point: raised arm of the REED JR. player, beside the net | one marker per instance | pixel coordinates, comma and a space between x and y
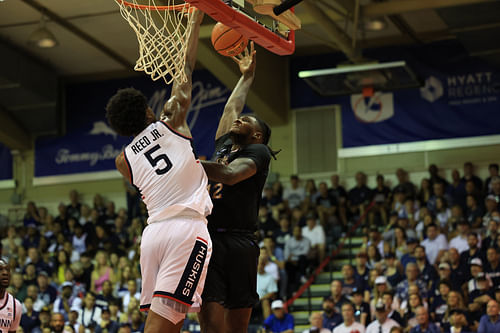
176, 108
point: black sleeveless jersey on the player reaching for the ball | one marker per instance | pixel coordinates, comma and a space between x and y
236, 206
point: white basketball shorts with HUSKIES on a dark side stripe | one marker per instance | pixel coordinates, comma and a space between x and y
174, 261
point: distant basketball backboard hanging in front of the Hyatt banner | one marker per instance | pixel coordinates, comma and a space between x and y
352, 79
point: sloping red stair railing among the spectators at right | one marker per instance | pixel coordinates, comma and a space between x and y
306, 286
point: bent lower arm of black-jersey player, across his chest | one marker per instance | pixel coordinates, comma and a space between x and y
232, 173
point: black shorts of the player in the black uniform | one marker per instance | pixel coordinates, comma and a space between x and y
232, 272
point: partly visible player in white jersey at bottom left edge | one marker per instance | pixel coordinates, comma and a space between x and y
10, 308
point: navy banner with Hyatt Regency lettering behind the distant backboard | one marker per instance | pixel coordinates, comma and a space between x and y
461, 98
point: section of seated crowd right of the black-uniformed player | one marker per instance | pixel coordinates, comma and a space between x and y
430, 260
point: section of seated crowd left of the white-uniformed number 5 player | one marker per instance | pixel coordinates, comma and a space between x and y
77, 270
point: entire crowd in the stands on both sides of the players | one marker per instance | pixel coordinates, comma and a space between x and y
430, 260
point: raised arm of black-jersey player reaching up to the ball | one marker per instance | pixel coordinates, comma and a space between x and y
236, 102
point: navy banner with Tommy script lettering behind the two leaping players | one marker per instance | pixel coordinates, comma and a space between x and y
91, 145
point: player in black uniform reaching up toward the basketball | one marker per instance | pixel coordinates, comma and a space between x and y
237, 176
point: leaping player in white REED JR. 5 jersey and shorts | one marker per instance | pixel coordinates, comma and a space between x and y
175, 245
